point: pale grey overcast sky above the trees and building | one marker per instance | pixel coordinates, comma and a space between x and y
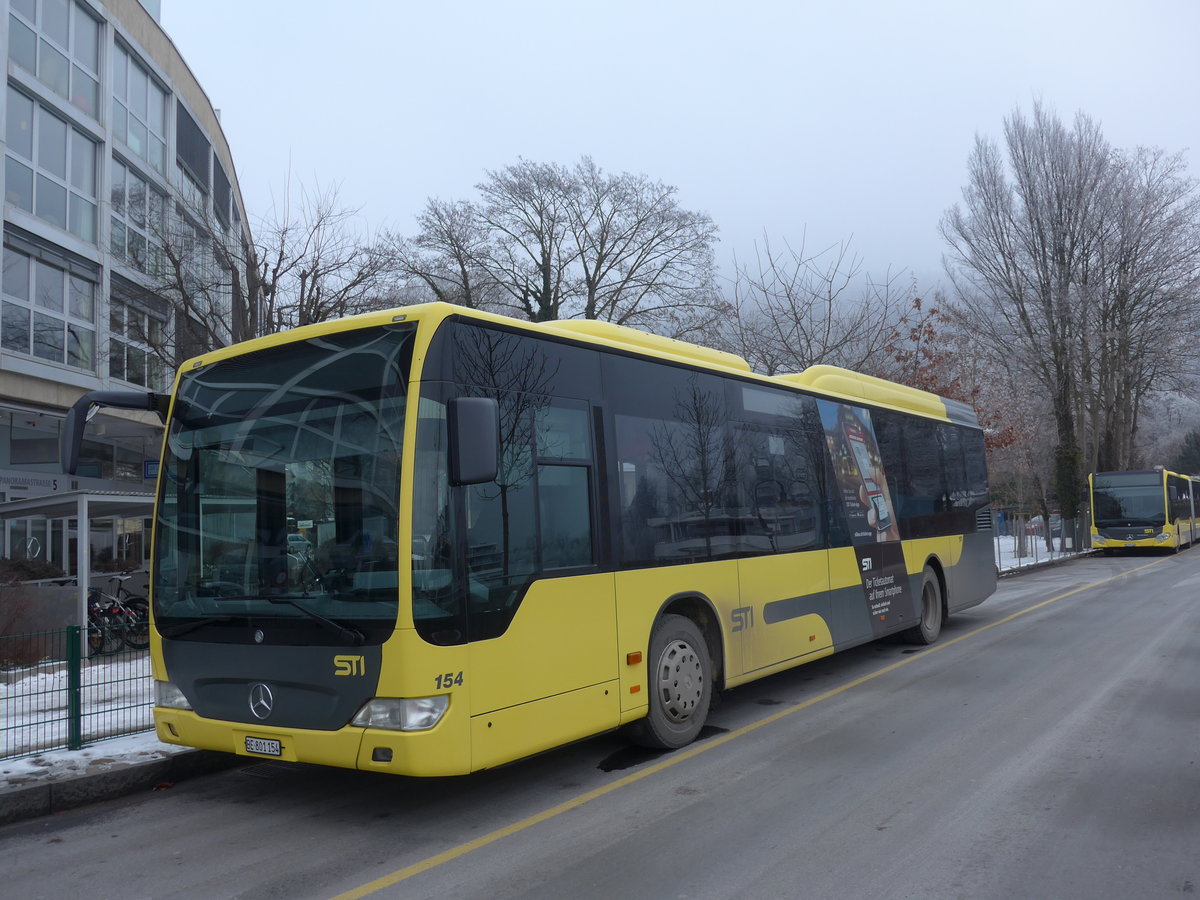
845, 121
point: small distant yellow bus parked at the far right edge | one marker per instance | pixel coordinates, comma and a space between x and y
1153, 509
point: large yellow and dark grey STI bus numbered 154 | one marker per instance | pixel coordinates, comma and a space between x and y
434, 541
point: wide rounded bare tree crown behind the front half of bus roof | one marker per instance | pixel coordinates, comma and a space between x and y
549, 243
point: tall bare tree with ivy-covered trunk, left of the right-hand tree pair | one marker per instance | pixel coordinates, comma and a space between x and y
1022, 255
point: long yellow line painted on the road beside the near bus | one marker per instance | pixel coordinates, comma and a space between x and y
680, 757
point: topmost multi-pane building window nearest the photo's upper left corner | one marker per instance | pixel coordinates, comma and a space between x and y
59, 43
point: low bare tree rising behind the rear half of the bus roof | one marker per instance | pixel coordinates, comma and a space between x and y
795, 309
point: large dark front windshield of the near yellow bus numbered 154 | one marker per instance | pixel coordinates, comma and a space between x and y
278, 518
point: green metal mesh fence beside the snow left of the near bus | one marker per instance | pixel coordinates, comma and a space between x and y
52, 698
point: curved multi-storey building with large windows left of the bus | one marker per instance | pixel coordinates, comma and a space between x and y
123, 223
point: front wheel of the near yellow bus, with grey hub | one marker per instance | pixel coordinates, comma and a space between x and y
681, 686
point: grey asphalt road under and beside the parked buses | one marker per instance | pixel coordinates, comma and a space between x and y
1047, 747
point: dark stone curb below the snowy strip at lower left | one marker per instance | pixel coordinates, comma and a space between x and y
57, 796
